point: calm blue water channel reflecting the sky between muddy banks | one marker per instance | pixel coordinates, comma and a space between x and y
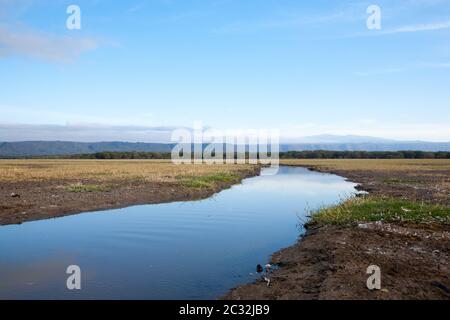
182, 250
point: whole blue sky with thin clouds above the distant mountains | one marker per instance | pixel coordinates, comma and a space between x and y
303, 67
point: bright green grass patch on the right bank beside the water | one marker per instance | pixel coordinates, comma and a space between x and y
370, 209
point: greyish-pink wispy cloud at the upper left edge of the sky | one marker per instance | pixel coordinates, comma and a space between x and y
43, 46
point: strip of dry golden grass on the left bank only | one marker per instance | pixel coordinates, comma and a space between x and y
108, 170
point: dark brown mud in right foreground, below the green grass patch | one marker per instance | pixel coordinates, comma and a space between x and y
330, 262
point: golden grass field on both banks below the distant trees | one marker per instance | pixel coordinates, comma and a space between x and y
164, 171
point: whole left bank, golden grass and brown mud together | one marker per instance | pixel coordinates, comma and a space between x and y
38, 189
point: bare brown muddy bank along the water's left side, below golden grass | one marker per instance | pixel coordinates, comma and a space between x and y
26, 201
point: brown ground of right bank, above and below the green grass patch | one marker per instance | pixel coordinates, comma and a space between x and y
330, 262
